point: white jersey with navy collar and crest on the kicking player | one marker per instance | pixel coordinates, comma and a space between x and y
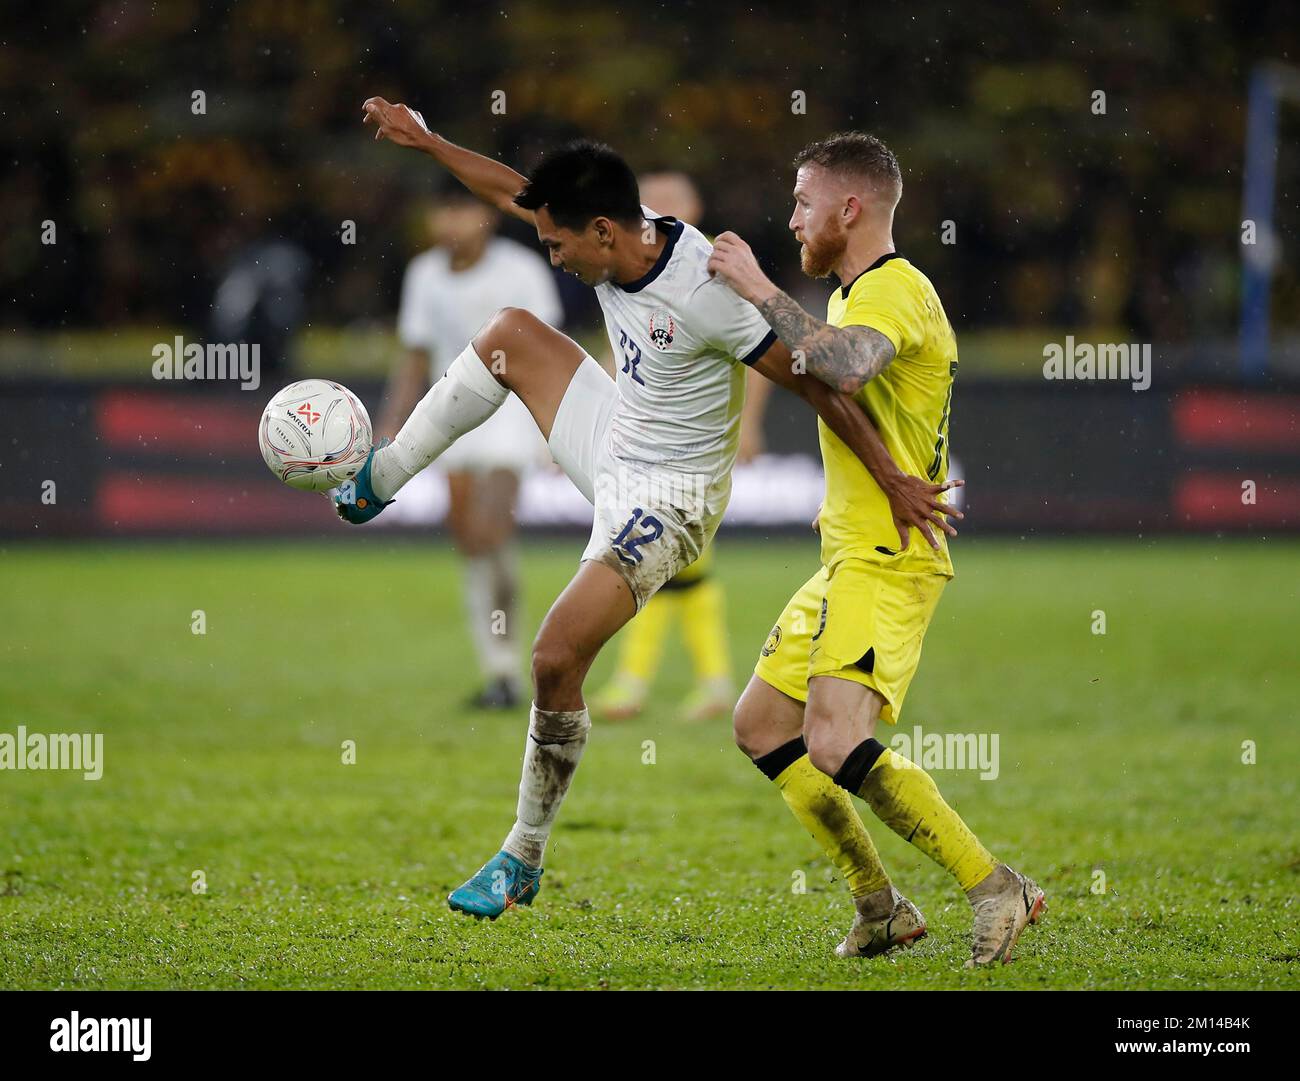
681, 340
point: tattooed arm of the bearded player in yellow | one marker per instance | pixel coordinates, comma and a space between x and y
844, 358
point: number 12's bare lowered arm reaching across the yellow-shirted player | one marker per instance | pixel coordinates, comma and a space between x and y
913, 502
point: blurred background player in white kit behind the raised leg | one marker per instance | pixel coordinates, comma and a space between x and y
449, 293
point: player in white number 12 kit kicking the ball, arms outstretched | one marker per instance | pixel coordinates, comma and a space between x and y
652, 450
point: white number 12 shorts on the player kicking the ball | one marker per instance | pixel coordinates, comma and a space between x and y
651, 523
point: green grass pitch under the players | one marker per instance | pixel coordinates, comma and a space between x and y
1120, 753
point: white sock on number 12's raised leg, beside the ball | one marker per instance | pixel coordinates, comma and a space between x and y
460, 402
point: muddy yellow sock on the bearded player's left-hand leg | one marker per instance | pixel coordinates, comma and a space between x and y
827, 813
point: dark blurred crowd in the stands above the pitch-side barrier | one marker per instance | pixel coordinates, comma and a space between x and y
1064, 218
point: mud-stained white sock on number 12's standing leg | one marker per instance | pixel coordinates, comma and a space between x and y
556, 743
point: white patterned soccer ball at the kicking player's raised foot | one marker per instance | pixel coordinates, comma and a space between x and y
315, 435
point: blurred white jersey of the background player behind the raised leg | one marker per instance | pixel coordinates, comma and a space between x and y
443, 310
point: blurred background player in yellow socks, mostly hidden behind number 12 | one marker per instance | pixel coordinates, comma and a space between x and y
695, 598
